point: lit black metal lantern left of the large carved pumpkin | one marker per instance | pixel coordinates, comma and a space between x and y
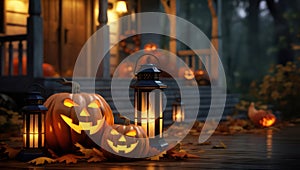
33, 127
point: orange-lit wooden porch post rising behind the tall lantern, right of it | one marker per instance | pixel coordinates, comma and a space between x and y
171, 10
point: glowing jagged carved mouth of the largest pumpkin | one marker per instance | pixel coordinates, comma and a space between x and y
84, 125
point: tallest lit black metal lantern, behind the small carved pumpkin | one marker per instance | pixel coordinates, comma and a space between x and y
148, 101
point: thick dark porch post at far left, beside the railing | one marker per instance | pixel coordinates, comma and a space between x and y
34, 40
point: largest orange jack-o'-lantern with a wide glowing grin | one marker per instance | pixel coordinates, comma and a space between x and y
64, 128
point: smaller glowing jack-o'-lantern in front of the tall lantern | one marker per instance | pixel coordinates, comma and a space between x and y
125, 141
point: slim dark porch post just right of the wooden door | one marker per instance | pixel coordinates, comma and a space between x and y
102, 18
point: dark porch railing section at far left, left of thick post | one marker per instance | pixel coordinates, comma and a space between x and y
10, 46
